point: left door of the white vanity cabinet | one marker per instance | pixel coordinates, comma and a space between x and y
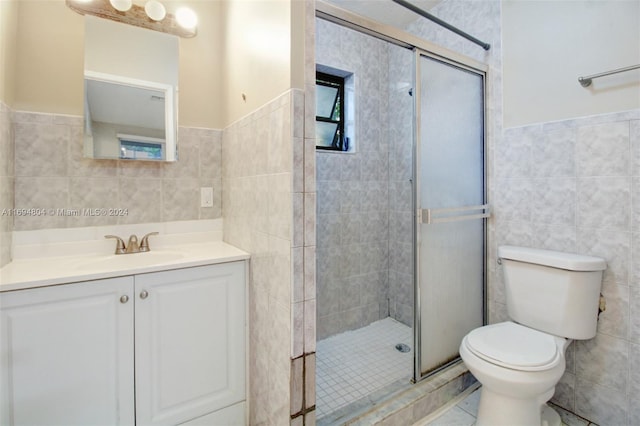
66, 354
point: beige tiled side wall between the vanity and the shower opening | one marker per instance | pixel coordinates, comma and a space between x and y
257, 206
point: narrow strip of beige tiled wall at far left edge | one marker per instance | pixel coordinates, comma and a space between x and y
6, 183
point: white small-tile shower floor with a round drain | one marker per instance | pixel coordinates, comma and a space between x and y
354, 364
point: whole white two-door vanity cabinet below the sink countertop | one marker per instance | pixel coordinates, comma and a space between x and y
159, 348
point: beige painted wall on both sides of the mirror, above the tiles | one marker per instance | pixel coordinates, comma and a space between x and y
50, 58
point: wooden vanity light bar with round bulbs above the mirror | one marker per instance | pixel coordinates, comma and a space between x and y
152, 16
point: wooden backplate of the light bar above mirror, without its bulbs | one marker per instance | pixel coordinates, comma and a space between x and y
135, 16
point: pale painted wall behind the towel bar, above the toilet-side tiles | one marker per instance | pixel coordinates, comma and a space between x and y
549, 44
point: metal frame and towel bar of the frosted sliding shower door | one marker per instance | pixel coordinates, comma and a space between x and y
417, 222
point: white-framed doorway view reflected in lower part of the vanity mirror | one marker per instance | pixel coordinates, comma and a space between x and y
127, 118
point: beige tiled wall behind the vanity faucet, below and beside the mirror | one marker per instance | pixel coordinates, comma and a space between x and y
51, 173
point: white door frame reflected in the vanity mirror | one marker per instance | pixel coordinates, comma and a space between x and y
170, 110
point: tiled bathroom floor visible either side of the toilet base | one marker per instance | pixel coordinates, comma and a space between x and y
462, 412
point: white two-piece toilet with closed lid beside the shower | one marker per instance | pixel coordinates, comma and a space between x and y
552, 298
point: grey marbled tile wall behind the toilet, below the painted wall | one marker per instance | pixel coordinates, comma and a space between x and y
574, 186
